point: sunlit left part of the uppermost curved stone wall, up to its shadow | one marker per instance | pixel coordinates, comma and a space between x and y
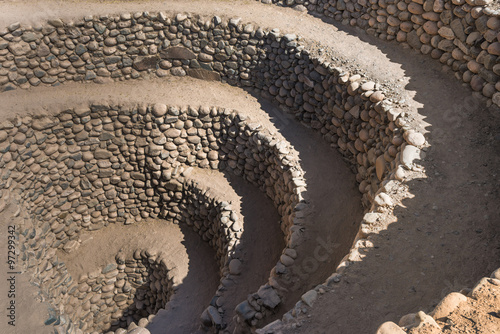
122, 47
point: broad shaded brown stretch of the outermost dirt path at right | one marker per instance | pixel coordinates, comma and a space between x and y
447, 236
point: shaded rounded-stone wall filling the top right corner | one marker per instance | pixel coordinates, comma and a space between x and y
463, 34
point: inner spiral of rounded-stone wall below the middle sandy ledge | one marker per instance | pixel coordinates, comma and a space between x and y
88, 167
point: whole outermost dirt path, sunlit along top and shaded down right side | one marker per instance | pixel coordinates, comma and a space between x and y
445, 237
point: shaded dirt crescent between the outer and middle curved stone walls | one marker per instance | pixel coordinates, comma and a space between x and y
336, 206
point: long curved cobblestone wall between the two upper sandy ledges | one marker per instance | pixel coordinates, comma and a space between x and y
241, 55
